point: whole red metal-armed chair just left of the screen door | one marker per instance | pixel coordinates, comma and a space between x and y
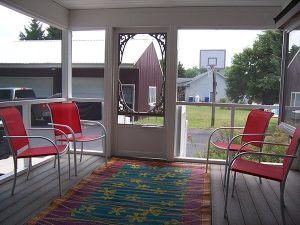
65, 116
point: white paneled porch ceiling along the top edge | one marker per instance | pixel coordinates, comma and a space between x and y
94, 4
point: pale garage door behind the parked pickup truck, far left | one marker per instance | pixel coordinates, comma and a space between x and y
42, 86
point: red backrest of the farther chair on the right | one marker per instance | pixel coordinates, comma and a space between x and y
257, 123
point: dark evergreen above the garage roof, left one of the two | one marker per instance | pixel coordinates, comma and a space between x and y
33, 31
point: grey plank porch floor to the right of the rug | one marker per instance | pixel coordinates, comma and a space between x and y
254, 202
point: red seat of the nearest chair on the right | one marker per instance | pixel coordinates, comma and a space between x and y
258, 169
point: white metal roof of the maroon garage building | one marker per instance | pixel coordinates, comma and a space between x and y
49, 51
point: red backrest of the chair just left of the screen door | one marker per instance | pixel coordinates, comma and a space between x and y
66, 114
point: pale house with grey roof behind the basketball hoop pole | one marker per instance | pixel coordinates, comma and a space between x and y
199, 88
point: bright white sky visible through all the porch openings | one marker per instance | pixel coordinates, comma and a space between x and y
190, 42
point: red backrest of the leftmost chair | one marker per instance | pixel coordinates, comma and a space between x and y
14, 126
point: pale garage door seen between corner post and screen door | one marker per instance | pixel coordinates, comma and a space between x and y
88, 87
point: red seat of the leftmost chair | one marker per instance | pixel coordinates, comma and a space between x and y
41, 151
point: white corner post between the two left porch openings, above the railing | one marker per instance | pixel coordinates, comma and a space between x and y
66, 49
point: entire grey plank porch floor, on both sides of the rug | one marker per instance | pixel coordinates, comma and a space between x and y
253, 203
